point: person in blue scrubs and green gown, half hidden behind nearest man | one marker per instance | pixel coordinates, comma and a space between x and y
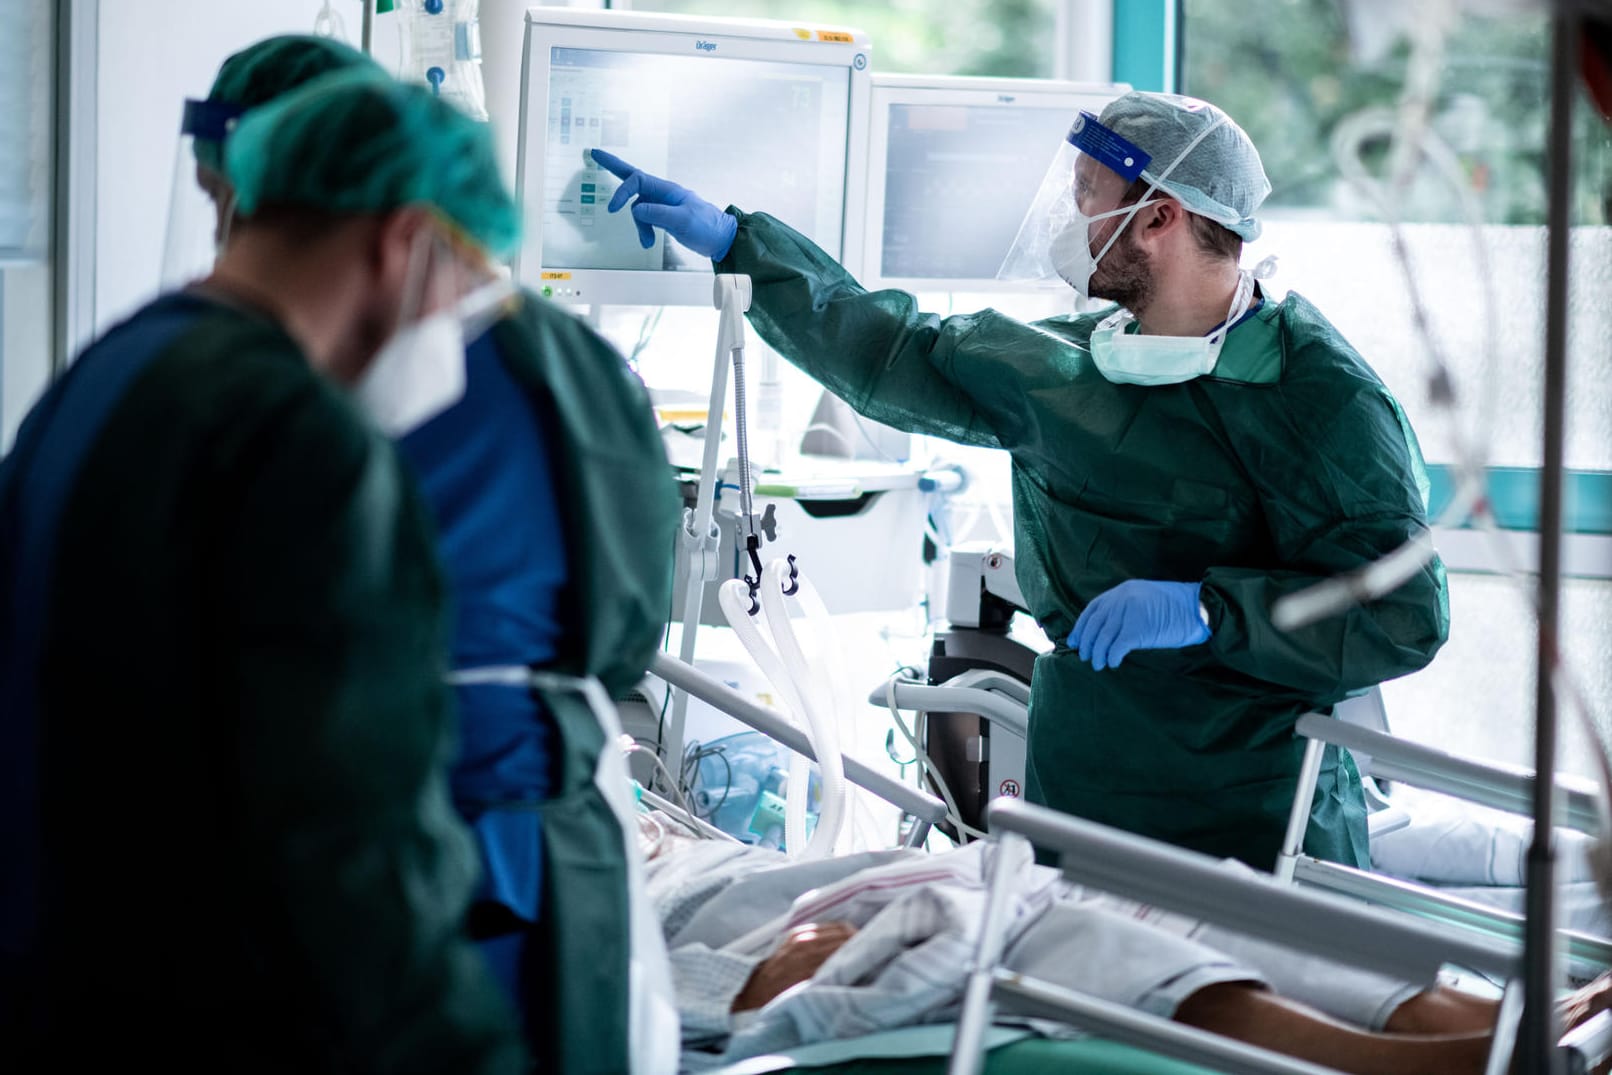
555, 517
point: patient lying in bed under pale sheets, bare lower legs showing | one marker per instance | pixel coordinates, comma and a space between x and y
771, 955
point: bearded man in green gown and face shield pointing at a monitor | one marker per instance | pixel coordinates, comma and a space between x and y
1181, 462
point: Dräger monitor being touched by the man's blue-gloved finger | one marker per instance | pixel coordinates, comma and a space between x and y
758, 115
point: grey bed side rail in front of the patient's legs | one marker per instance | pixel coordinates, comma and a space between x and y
1263, 907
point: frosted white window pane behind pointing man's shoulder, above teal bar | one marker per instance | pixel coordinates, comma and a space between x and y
1494, 349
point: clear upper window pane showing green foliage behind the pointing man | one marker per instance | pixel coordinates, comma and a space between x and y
1290, 72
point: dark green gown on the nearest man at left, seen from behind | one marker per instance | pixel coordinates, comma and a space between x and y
251, 861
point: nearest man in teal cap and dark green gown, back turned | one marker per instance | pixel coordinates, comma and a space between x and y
223, 718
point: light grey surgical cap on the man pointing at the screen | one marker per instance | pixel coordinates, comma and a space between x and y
1221, 178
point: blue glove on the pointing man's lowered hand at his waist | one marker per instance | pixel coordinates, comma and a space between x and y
1139, 615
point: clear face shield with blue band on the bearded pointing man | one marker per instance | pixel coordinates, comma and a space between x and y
1081, 210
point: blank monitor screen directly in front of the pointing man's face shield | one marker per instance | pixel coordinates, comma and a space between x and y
958, 181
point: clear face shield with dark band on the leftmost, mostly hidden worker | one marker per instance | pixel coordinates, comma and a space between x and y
202, 201
